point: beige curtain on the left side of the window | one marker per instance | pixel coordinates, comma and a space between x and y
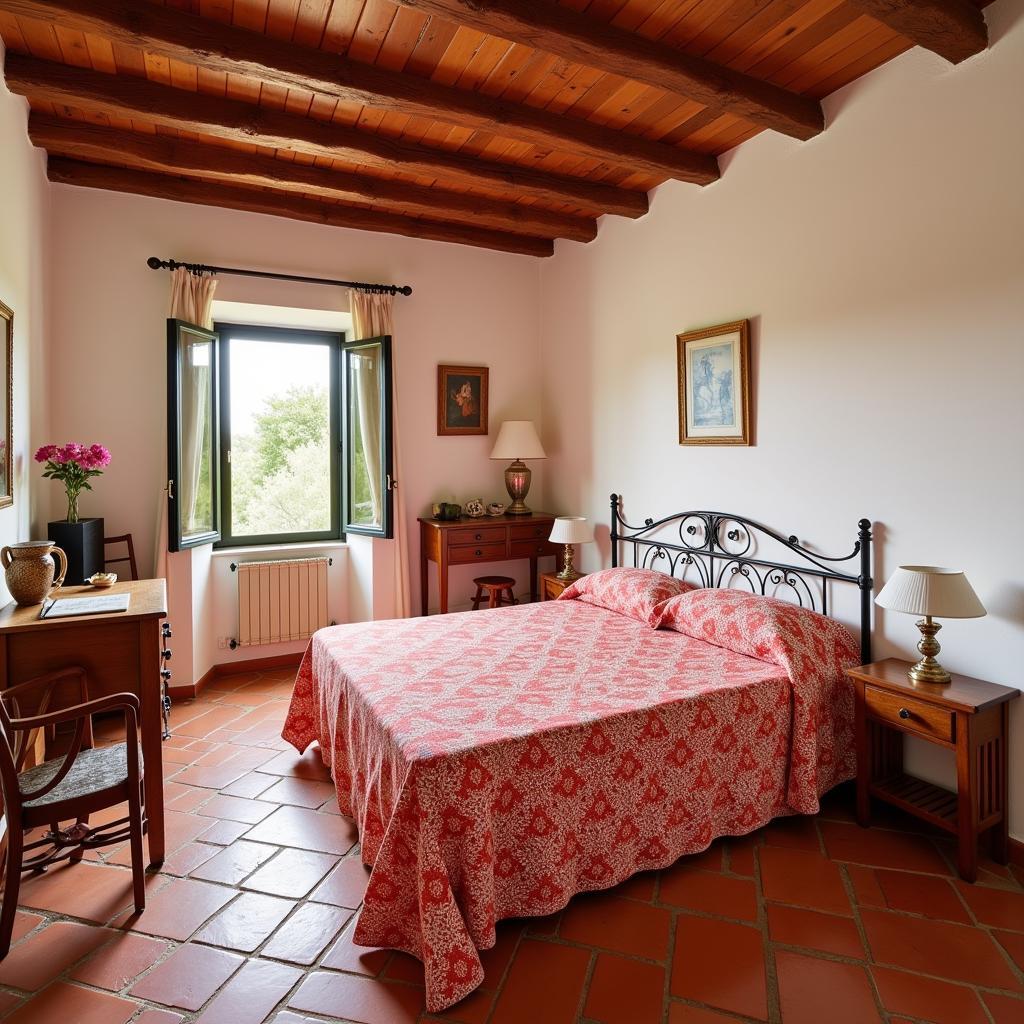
192, 301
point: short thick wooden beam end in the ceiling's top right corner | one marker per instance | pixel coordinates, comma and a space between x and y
954, 29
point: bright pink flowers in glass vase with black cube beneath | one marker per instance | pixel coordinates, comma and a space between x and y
82, 540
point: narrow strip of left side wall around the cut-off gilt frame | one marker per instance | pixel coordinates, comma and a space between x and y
23, 245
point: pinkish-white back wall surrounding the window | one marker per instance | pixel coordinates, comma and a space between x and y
109, 310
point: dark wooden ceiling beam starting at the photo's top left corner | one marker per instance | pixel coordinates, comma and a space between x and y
219, 48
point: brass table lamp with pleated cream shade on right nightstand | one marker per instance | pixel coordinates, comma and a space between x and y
928, 591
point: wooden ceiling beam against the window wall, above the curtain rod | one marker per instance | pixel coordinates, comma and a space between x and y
74, 173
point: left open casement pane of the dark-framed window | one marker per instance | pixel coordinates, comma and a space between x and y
194, 500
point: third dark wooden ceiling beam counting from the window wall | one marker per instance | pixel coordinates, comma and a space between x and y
130, 97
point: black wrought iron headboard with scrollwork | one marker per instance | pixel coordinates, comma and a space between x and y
720, 547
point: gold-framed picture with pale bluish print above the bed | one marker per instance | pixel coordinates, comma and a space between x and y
715, 386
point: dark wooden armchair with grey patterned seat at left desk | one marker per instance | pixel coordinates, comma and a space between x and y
86, 781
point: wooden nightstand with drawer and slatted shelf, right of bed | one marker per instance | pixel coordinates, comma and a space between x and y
967, 716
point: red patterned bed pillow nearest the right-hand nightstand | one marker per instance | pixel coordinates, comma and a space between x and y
765, 628
